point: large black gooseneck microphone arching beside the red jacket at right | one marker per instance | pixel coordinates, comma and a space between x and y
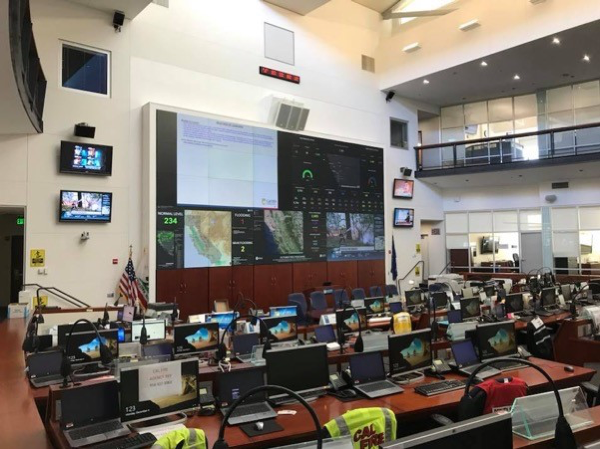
563, 434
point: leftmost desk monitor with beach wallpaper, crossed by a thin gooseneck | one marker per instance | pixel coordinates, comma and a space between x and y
84, 347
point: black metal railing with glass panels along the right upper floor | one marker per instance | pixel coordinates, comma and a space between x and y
538, 145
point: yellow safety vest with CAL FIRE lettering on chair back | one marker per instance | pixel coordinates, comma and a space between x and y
367, 427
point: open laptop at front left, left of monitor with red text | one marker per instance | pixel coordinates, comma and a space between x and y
90, 414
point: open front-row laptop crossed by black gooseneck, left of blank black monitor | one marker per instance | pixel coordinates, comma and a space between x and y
236, 383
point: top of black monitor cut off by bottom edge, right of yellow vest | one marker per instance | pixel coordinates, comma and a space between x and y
492, 431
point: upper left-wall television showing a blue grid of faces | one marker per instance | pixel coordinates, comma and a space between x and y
85, 158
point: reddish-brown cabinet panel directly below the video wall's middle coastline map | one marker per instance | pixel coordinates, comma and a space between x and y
272, 284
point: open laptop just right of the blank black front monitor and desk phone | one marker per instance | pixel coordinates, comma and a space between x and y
368, 374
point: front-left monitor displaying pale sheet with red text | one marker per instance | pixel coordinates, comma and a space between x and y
142, 397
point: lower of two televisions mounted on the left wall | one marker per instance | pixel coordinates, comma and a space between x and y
79, 206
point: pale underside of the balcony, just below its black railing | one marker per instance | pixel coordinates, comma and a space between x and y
523, 176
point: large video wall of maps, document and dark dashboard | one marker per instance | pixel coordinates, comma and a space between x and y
233, 194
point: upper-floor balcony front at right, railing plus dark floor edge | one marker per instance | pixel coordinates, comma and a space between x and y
557, 146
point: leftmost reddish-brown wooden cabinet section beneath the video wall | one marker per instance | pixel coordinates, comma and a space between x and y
188, 287
